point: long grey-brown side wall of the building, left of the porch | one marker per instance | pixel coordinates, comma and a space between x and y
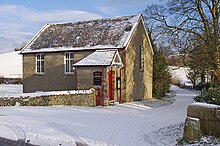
54, 77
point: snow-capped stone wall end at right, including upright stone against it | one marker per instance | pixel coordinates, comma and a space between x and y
202, 119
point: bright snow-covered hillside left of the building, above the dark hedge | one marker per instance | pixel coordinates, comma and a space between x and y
11, 65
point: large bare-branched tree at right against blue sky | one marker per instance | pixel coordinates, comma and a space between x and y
189, 24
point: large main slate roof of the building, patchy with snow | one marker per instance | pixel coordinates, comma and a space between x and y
93, 34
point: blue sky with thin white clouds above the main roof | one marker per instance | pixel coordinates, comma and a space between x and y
21, 19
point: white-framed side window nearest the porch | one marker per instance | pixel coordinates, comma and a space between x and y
68, 63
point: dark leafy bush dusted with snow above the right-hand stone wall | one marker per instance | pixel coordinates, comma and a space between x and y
211, 95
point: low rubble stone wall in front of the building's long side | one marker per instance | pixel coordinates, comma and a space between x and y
79, 99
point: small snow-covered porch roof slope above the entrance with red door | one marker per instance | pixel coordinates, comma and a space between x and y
98, 58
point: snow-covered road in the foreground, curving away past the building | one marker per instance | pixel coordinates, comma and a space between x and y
124, 124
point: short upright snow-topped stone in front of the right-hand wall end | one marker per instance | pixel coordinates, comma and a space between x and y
192, 131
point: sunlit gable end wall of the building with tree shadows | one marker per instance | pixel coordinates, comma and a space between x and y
138, 71
